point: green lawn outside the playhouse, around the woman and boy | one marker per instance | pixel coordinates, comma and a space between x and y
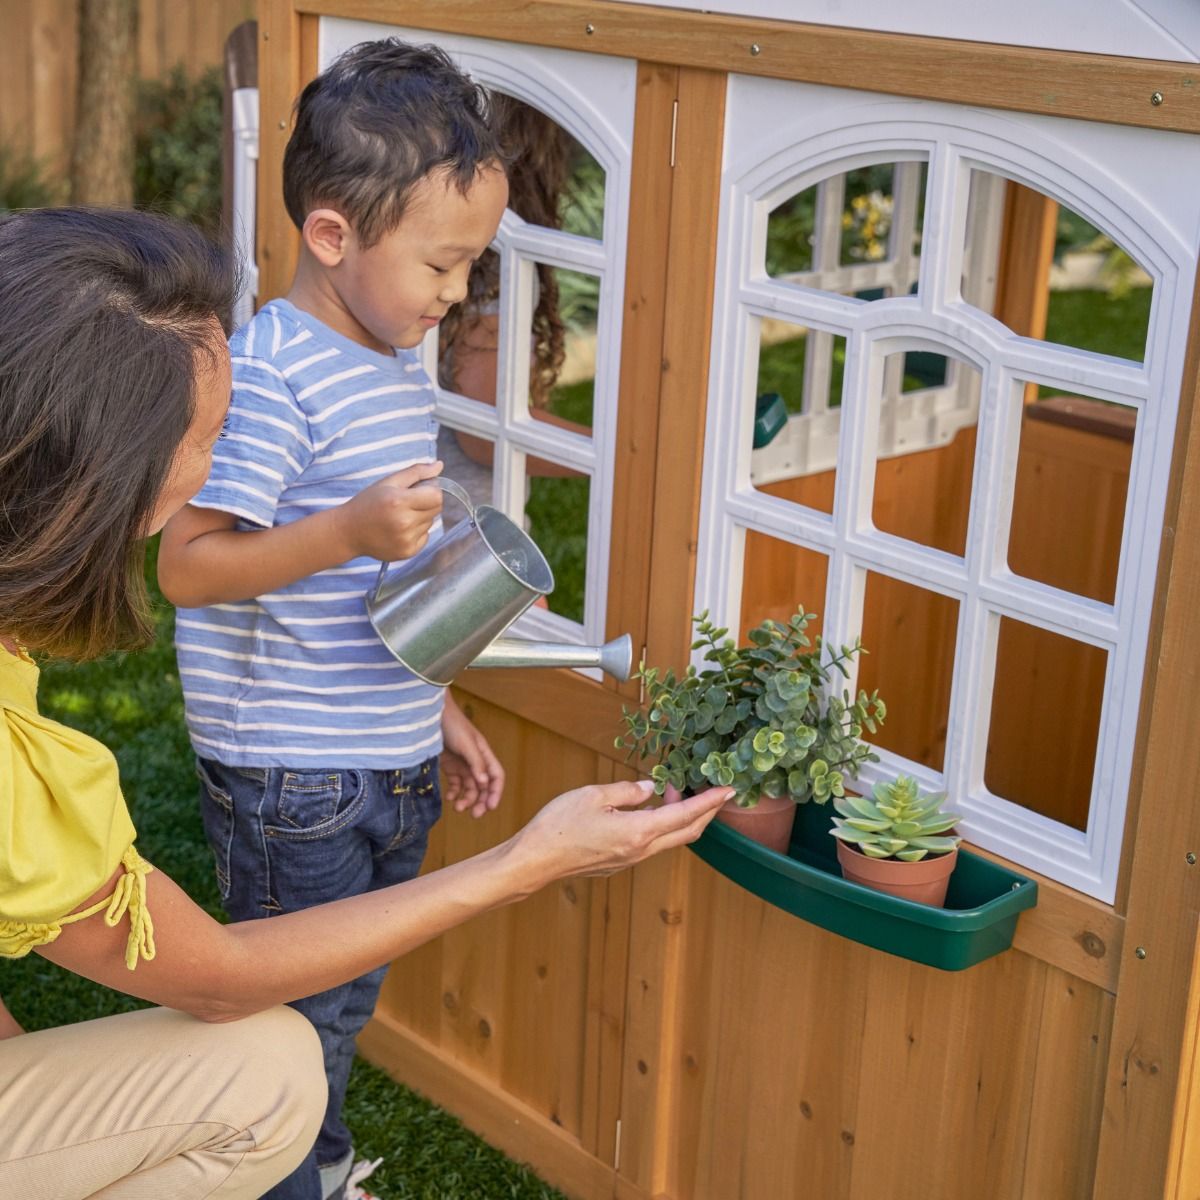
134, 705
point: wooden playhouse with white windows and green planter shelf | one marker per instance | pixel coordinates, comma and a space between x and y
829, 356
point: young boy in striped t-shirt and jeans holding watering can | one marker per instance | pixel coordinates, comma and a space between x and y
319, 754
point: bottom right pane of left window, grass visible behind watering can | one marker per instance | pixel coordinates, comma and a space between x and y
557, 520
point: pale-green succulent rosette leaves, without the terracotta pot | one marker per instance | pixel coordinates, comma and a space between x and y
897, 821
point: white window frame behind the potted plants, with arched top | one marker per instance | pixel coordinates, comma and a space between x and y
1135, 184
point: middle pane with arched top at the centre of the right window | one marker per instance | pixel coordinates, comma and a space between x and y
928, 412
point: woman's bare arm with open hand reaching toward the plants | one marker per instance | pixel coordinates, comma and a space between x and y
223, 973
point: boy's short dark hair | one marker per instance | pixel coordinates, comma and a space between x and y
379, 121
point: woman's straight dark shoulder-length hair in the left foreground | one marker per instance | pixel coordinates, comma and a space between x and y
103, 317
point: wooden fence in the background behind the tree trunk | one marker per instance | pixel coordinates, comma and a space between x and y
39, 63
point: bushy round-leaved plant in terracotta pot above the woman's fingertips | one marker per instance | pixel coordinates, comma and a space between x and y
760, 718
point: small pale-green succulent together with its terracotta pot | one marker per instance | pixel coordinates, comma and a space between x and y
898, 841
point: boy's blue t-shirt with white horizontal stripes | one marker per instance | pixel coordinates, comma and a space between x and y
298, 677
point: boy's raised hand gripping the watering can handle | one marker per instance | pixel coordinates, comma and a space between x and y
393, 518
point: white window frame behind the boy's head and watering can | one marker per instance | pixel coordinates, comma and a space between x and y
593, 99
